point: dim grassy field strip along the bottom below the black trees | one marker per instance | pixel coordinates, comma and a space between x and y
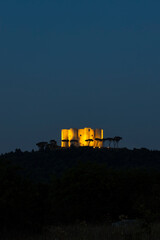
83, 231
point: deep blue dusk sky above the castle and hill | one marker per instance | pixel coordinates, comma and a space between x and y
79, 64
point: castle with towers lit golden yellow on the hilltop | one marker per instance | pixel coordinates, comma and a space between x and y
82, 137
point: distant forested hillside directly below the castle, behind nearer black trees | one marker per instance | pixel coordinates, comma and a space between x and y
39, 166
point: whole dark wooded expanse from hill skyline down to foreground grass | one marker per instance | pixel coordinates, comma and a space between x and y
67, 186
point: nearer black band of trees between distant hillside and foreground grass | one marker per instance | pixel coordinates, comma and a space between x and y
88, 192
